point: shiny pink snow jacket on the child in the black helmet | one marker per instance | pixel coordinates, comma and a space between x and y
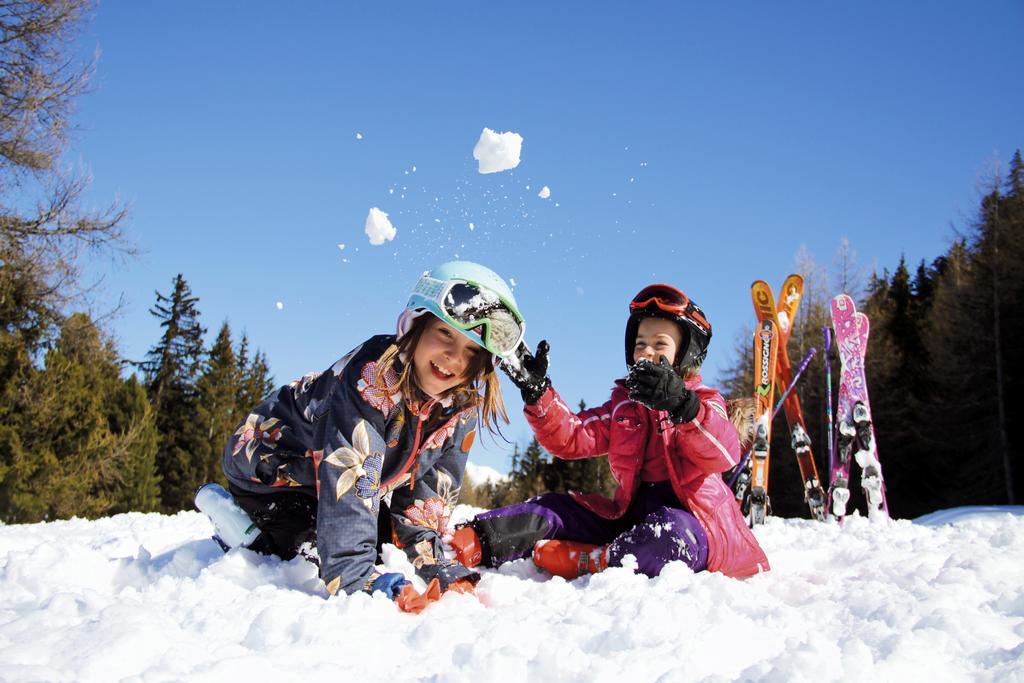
696, 454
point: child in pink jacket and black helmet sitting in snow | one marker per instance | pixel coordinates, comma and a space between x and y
668, 440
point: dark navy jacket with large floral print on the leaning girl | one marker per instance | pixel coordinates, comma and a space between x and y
338, 436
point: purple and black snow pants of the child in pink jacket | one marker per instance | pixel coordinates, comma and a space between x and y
656, 530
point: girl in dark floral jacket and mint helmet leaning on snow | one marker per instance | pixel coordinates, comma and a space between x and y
380, 441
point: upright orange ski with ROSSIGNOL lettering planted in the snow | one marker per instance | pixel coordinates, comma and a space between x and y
766, 339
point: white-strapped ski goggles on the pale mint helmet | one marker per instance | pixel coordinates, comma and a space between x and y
477, 312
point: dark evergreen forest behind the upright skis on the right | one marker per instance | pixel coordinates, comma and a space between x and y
944, 366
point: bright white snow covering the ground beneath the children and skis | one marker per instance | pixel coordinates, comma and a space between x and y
152, 599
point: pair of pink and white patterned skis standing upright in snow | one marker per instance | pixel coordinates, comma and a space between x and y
856, 434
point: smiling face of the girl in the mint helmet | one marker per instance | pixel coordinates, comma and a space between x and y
443, 358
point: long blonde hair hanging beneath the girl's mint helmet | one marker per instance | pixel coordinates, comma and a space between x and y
483, 390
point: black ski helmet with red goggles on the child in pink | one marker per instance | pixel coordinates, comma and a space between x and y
668, 303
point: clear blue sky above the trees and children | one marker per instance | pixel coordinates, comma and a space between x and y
684, 143
